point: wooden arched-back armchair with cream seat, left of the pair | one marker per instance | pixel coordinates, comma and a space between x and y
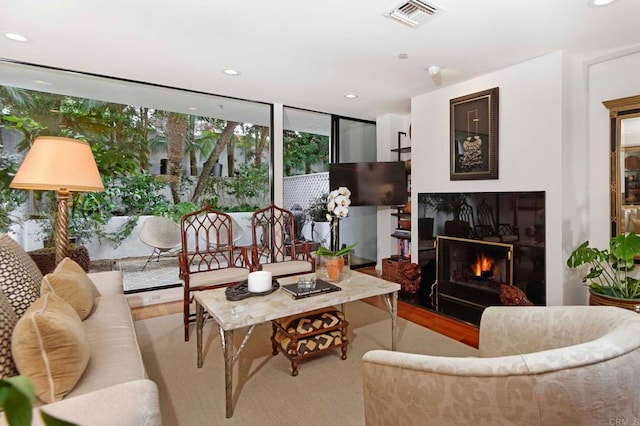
208, 258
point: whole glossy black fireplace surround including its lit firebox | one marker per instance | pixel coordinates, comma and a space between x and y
493, 238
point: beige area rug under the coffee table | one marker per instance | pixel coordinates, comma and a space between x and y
327, 391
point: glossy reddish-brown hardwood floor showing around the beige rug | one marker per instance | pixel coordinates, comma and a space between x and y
451, 328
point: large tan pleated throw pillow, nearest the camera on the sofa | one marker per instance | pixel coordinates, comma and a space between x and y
50, 346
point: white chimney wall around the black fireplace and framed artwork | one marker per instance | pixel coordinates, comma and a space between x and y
530, 145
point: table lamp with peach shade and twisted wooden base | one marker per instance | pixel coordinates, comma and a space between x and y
62, 165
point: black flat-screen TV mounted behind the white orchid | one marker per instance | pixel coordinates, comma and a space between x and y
382, 183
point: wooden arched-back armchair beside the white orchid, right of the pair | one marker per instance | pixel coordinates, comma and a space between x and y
273, 245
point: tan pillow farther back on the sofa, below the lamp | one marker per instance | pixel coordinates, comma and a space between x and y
71, 283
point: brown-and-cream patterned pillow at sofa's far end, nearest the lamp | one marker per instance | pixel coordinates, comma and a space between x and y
20, 277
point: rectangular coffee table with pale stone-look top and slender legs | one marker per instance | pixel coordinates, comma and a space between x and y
252, 311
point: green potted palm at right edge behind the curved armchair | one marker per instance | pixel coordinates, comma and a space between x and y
610, 277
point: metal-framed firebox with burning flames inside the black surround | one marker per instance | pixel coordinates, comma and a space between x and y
469, 273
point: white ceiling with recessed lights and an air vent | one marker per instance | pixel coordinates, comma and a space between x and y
302, 53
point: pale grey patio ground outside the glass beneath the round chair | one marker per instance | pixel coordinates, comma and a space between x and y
156, 275
